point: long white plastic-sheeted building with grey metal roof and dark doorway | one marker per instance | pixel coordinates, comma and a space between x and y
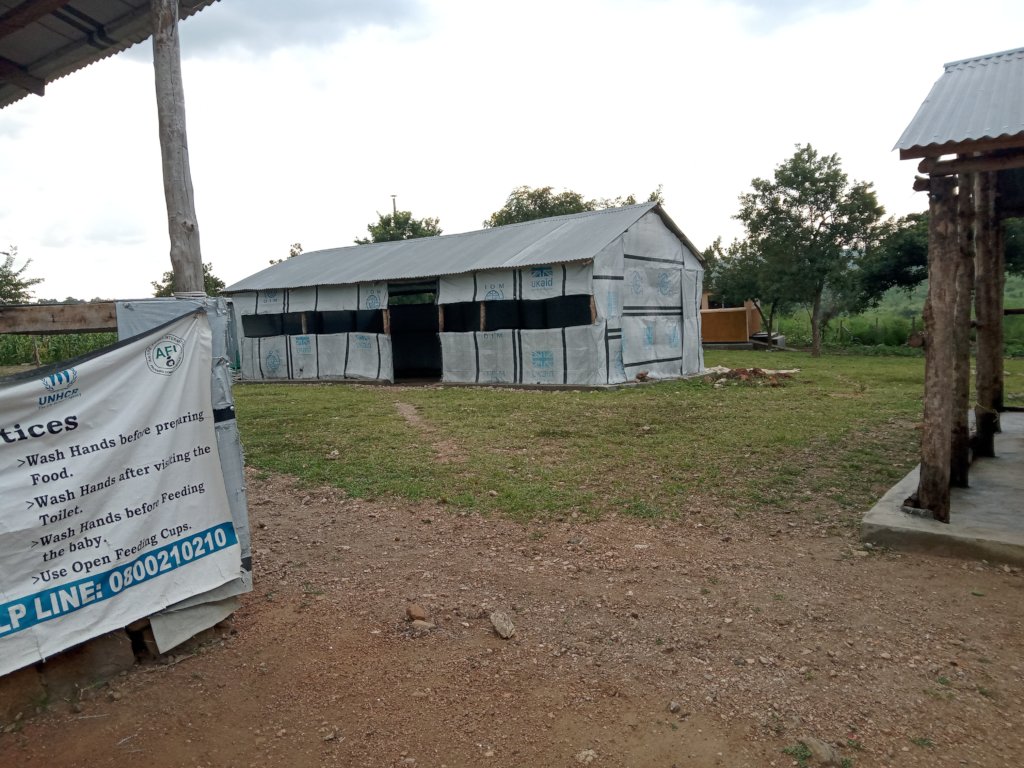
586, 300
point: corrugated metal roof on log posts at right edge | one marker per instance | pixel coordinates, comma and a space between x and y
975, 99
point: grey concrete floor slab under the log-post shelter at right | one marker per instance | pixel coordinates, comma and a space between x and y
987, 521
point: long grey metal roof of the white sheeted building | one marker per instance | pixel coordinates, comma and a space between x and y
559, 240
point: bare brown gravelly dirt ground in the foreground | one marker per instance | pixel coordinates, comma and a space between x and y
637, 644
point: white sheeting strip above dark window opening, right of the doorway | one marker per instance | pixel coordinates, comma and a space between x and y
529, 284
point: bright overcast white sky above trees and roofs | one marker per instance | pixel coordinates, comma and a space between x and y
305, 117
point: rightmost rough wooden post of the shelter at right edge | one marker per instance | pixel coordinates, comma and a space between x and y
989, 312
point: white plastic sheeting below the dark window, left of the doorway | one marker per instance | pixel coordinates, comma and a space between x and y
353, 356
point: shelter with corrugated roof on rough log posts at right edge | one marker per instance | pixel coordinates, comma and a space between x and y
970, 136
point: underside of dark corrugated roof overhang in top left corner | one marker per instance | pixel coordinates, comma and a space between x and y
44, 40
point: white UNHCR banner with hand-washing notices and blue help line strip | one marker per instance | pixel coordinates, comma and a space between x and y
113, 498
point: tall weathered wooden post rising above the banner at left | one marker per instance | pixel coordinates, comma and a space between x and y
187, 259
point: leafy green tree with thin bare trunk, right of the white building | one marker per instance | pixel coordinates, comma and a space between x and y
812, 227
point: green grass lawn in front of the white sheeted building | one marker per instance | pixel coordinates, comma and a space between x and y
827, 444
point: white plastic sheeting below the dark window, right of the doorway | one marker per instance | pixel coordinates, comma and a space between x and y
570, 356
